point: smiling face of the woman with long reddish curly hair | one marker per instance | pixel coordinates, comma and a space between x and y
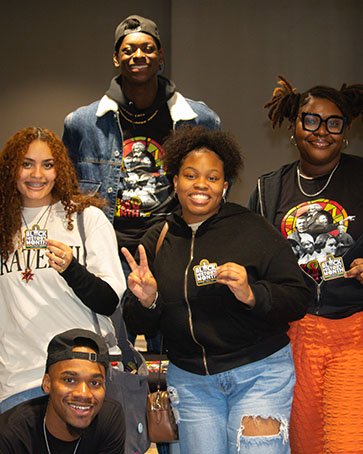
36, 175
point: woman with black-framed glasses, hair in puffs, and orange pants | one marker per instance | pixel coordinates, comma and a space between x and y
327, 409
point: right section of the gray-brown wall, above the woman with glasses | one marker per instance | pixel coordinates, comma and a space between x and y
228, 53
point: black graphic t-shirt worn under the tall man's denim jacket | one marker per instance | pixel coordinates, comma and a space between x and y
145, 194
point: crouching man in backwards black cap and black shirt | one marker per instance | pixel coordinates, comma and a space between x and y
74, 417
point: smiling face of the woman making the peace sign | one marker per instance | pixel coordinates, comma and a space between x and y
200, 185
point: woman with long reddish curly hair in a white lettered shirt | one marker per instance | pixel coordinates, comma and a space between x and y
58, 259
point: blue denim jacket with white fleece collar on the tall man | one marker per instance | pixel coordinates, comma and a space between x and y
94, 139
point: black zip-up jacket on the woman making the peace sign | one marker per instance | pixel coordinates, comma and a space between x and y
206, 329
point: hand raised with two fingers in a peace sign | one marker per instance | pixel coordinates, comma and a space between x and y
141, 281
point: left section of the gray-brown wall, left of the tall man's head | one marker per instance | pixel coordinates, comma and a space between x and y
57, 56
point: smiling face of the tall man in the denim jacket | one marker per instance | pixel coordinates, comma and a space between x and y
138, 58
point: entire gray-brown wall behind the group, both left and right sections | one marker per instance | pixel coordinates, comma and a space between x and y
57, 56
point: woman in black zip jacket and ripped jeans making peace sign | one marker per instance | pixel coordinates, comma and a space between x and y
221, 288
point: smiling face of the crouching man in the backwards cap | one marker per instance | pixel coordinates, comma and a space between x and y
76, 391
